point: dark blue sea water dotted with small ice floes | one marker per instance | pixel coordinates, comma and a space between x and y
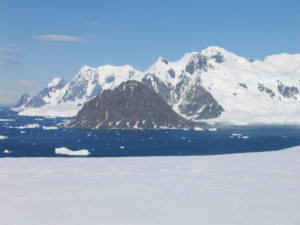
38, 142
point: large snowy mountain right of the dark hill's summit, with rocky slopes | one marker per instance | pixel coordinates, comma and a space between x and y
219, 86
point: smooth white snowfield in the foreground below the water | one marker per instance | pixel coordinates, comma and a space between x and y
238, 189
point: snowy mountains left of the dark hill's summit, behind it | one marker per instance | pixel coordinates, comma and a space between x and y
60, 98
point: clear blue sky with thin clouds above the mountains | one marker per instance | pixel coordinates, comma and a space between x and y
40, 40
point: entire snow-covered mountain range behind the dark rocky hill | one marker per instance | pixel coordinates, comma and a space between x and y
212, 85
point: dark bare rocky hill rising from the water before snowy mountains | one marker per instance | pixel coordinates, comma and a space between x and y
131, 105
